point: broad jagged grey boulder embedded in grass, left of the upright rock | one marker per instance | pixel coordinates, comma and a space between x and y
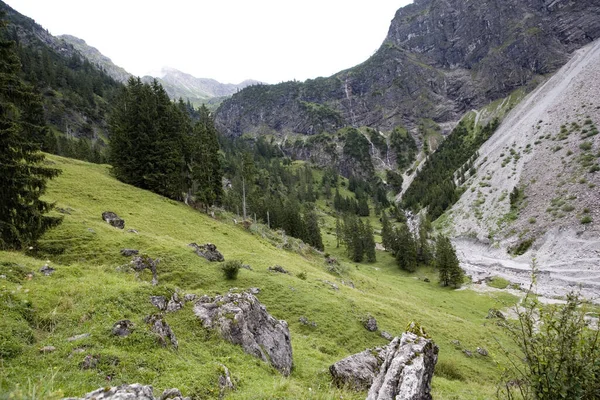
241, 319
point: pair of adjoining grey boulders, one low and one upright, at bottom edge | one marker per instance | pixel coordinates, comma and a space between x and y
401, 370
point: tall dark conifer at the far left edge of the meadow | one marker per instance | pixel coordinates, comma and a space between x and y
22, 174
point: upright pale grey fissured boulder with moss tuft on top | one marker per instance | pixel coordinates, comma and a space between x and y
407, 369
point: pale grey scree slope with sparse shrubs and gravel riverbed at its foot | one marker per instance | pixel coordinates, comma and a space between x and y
537, 185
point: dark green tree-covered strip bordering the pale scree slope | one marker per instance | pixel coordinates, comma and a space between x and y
434, 186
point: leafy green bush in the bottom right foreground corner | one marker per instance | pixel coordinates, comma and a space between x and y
558, 356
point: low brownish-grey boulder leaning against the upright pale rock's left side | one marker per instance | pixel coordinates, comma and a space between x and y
357, 371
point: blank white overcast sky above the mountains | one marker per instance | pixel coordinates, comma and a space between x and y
227, 40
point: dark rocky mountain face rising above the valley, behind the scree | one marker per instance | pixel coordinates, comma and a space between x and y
439, 60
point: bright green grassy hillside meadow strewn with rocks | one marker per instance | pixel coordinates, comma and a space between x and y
93, 288
